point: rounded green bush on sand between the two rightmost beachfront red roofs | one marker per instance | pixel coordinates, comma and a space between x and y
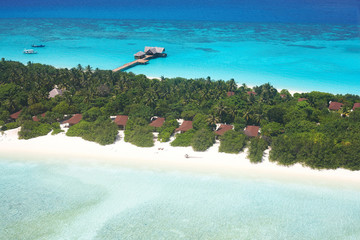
232, 142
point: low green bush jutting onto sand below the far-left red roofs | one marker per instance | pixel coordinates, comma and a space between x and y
31, 129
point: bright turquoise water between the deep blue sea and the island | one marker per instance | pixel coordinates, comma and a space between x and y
296, 56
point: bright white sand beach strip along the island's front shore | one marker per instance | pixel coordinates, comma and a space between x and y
164, 157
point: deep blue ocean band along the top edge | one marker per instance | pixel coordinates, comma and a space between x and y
294, 11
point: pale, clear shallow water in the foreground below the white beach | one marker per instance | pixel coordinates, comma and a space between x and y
74, 201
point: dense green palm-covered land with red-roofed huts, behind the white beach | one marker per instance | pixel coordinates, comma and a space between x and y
316, 129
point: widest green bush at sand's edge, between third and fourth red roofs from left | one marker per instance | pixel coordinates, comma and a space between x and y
102, 131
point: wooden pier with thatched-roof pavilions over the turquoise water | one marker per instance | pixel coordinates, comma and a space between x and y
143, 57
